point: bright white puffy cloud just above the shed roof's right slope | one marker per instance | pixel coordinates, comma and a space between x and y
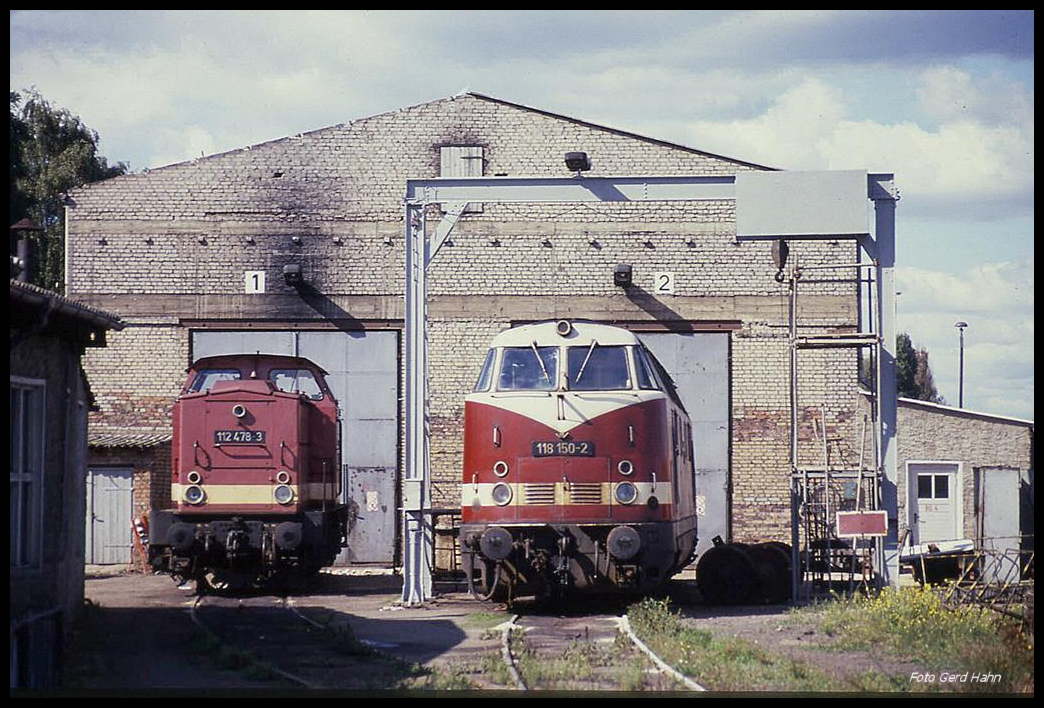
961, 166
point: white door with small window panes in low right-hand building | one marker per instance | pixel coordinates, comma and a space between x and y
934, 502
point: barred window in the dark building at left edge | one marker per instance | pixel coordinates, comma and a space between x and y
27, 471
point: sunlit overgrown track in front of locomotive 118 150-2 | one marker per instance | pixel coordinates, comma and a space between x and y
584, 652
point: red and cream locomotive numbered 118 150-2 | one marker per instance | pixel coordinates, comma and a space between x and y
579, 469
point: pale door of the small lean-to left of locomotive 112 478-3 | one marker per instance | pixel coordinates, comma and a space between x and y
110, 511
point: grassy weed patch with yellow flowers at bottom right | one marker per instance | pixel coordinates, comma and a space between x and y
913, 624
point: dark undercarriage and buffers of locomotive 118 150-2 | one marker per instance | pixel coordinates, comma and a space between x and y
507, 562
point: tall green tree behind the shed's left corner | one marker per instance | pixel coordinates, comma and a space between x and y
52, 152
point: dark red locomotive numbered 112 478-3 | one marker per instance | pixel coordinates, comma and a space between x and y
255, 475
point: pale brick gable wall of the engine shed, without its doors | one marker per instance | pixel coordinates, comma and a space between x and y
172, 246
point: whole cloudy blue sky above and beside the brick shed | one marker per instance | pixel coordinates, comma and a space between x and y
943, 100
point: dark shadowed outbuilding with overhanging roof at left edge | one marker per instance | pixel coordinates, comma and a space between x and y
50, 403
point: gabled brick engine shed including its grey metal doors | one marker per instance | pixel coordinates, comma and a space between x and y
192, 256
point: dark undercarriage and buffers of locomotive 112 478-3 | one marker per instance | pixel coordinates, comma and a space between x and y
242, 553
